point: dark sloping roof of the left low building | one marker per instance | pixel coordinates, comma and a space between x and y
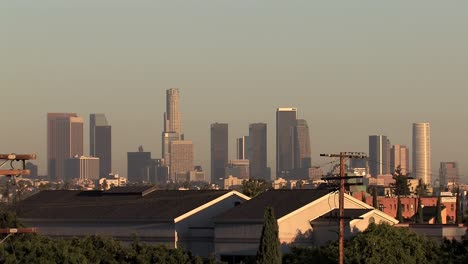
119, 205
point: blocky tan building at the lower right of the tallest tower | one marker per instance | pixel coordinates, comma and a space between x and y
181, 159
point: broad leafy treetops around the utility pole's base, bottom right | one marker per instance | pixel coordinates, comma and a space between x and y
378, 244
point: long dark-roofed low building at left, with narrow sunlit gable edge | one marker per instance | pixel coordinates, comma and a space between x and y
173, 218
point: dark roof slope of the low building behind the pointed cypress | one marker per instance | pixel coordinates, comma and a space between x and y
283, 202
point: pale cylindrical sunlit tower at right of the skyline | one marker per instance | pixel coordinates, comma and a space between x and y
422, 152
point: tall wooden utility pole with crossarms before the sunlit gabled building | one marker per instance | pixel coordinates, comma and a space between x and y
343, 157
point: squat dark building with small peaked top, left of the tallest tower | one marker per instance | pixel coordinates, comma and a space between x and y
139, 166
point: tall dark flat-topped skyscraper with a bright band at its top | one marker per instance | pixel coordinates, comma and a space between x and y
285, 122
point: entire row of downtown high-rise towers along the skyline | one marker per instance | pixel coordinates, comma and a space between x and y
66, 158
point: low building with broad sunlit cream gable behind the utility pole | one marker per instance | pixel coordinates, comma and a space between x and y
300, 216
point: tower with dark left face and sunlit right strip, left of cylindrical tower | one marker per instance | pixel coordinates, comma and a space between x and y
379, 155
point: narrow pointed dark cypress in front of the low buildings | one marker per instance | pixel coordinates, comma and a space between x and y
269, 250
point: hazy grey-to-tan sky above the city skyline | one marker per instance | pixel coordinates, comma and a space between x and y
353, 68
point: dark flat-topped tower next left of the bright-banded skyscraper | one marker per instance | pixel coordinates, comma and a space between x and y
258, 151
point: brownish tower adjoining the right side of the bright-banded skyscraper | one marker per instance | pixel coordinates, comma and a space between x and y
302, 153
